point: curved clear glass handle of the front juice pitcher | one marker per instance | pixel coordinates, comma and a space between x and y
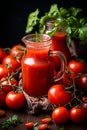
63, 60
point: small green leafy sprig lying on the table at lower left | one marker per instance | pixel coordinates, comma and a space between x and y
11, 121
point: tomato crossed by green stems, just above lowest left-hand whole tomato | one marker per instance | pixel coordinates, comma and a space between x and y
8, 84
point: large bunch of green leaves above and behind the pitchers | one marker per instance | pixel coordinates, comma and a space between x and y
72, 19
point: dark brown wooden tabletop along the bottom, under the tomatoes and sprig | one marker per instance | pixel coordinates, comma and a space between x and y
37, 118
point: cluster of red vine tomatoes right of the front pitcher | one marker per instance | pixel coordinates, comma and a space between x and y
69, 97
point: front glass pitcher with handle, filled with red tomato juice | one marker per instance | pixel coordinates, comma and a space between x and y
38, 65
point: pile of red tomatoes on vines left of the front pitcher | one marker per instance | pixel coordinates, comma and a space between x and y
10, 65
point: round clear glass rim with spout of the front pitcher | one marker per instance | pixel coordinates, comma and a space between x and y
37, 40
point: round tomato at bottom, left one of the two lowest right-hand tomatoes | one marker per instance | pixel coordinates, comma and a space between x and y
60, 115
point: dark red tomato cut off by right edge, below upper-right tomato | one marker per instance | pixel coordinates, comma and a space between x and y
82, 82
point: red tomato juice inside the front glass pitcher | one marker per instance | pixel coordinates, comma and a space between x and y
37, 66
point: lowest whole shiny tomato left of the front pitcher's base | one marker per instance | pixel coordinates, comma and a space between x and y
15, 100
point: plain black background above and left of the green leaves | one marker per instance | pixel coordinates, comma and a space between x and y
14, 13
